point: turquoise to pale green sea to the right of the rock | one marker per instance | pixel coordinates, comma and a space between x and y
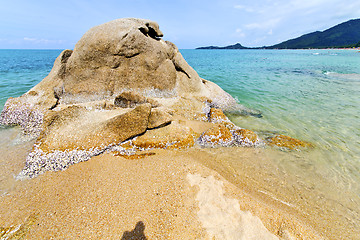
313, 95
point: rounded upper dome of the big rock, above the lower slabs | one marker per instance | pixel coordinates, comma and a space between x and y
124, 54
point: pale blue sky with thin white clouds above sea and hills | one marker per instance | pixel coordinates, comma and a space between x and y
48, 24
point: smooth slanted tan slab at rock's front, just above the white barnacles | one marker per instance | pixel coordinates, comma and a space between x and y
76, 128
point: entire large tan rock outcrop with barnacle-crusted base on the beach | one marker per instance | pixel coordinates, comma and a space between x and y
124, 89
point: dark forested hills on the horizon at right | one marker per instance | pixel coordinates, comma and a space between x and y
343, 35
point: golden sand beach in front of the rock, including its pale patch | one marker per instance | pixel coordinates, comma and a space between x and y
155, 197
